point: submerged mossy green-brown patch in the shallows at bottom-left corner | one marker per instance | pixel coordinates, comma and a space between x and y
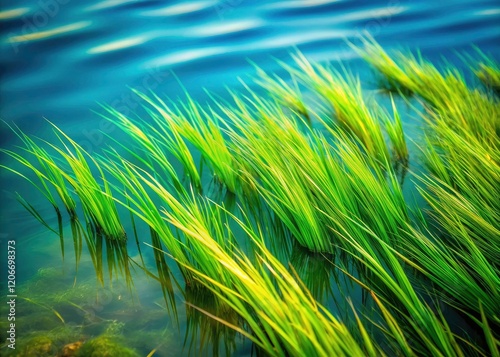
79, 319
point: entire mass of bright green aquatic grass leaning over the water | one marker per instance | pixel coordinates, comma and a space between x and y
304, 196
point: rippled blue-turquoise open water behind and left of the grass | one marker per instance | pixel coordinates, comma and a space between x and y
60, 58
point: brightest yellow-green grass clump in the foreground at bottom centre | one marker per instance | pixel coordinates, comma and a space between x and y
262, 293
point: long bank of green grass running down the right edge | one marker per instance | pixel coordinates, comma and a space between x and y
460, 254
